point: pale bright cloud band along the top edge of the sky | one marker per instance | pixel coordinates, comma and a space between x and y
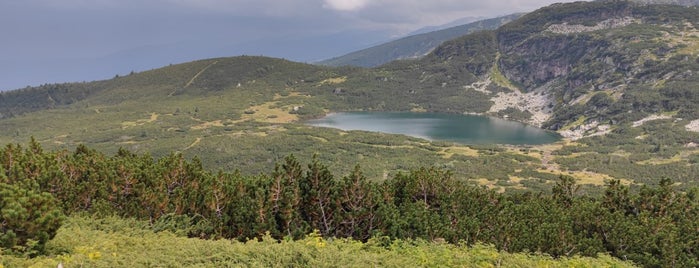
397, 15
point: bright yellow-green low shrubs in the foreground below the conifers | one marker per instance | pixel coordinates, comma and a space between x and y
114, 242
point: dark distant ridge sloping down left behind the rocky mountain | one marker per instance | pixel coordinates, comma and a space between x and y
413, 46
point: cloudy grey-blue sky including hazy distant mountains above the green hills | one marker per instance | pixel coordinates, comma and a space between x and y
53, 41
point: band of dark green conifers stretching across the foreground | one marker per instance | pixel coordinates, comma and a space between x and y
656, 226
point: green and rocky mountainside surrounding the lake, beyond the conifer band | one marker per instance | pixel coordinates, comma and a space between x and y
617, 78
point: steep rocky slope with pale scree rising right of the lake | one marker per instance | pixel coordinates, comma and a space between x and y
608, 62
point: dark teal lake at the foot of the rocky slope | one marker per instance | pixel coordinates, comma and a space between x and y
466, 129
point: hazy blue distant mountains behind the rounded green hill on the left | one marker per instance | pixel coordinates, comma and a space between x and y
17, 71
